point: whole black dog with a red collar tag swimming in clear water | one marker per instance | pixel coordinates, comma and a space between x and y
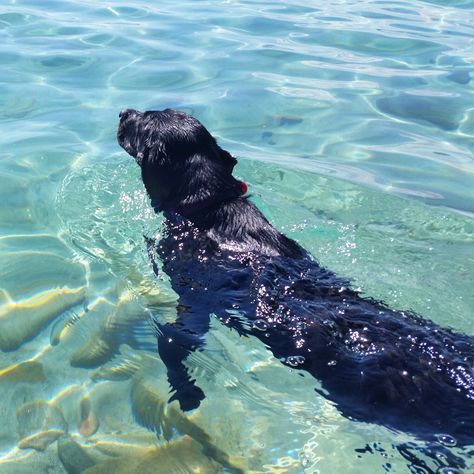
224, 258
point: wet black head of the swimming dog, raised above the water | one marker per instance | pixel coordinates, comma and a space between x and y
183, 168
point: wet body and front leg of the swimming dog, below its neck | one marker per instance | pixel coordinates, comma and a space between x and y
377, 365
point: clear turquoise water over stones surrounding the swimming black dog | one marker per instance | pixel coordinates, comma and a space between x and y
354, 125
